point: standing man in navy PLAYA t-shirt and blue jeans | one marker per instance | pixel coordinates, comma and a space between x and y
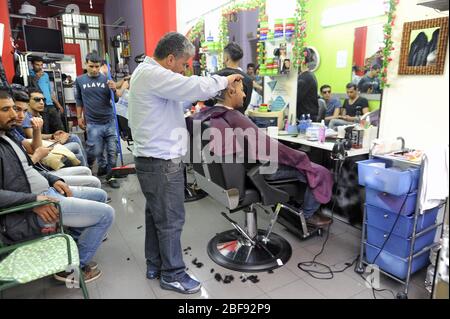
96, 115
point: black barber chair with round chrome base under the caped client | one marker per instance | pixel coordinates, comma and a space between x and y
241, 187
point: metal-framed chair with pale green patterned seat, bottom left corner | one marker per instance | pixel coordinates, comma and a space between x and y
38, 258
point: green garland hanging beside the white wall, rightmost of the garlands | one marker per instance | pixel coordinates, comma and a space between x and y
388, 42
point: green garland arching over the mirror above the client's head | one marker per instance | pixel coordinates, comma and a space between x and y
228, 13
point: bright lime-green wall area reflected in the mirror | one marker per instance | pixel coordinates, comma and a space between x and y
328, 41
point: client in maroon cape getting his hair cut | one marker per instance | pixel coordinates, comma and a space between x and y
292, 164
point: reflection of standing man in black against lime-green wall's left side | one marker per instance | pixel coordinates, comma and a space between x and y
307, 91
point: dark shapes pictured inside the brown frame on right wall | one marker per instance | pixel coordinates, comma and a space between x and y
423, 52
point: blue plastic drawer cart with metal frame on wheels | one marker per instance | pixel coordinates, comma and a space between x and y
396, 235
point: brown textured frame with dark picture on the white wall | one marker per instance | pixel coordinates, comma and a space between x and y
424, 47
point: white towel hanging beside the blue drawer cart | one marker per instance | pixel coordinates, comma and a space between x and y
435, 177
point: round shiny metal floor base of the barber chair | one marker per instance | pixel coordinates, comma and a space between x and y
232, 251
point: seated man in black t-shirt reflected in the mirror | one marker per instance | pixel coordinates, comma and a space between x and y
354, 107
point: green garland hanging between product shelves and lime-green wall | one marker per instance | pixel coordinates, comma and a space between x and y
300, 33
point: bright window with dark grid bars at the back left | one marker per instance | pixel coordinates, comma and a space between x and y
88, 41
